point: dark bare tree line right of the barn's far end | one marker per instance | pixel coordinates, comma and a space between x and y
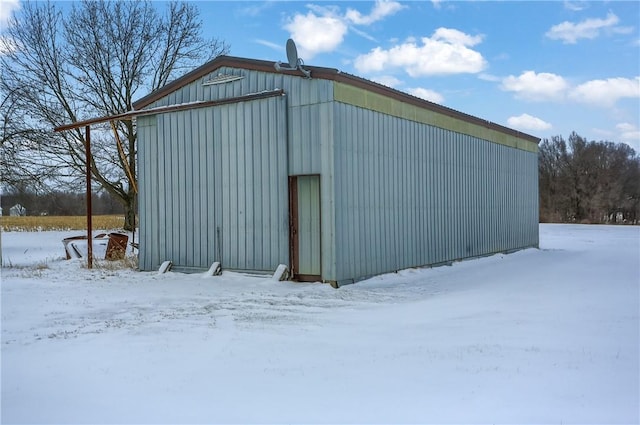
588, 182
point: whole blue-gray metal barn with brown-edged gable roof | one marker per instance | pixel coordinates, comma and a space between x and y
335, 176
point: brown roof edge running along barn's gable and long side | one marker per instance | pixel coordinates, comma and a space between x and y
325, 74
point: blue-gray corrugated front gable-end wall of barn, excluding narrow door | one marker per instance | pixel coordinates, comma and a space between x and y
206, 173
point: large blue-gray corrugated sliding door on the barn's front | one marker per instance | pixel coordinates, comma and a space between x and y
214, 187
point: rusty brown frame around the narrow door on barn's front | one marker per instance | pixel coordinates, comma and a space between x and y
294, 243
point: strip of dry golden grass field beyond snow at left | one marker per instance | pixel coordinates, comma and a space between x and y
41, 223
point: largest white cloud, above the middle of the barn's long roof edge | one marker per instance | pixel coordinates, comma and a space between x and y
445, 52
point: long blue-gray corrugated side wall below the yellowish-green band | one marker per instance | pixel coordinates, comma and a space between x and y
409, 194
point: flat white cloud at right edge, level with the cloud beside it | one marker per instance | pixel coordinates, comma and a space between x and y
606, 92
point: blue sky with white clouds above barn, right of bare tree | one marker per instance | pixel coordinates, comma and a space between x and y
545, 68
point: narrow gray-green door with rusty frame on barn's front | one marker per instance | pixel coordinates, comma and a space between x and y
304, 232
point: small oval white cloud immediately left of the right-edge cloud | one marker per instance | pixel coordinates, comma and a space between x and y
536, 87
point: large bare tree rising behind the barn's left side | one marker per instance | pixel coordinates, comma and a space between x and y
93, 61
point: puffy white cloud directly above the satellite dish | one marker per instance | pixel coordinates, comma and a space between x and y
316, 34
